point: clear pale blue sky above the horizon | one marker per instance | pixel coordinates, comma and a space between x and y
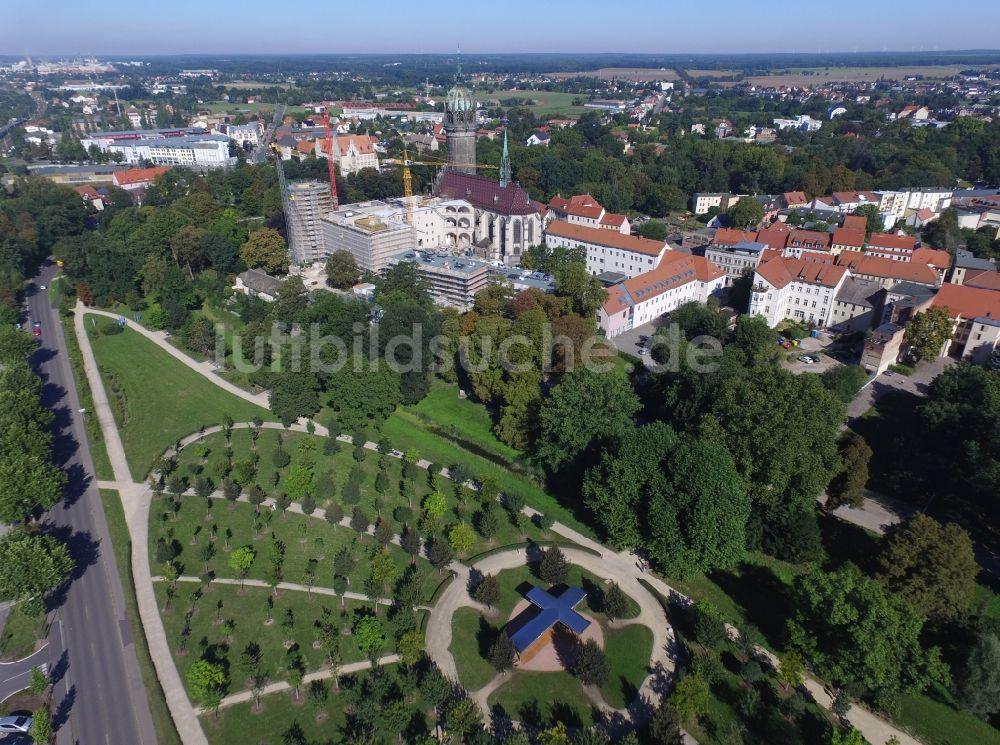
654, 26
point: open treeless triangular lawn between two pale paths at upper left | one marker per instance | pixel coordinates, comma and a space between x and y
164, 399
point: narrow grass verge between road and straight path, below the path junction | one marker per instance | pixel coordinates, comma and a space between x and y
122, 546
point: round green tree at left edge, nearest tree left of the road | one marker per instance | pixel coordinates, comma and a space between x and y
32, 564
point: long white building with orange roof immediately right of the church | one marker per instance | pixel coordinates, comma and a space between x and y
608, 250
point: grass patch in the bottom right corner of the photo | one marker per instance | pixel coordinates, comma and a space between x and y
935, 720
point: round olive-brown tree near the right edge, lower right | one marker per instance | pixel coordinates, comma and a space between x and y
930, 565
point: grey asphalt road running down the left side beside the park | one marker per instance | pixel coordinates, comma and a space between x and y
98, 696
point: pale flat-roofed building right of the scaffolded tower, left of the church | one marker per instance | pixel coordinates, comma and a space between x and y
375, 236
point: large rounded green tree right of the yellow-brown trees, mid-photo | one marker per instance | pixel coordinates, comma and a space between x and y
568, 427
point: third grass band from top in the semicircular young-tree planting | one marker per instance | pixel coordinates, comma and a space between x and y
248, 608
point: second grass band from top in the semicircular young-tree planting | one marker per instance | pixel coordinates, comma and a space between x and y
298, 532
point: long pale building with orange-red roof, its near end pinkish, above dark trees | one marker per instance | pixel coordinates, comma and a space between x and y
678, 279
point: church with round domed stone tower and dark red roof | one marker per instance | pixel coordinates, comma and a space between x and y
506, 220
